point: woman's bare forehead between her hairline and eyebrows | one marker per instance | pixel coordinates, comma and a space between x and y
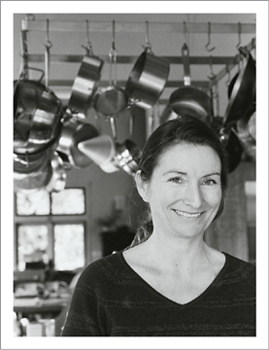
185, 156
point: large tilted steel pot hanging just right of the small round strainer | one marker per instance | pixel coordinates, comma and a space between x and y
147, 79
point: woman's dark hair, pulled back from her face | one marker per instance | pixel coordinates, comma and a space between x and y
185, 129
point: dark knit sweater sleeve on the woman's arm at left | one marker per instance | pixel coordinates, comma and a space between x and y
84, 314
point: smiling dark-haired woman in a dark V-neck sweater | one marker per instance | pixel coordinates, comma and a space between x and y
170, 282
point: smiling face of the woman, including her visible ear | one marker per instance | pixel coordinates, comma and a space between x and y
184, 191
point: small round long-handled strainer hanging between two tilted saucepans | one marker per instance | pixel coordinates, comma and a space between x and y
109, 102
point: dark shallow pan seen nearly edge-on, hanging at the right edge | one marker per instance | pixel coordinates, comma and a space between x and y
243, 92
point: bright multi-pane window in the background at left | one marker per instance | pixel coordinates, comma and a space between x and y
51, 227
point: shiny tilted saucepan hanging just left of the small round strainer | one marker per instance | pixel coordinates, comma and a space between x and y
85, 84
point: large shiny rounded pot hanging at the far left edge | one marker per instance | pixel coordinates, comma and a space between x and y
37, 117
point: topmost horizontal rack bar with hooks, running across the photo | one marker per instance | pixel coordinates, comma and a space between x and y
137, 27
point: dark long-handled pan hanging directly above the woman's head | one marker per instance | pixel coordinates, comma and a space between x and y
188, 100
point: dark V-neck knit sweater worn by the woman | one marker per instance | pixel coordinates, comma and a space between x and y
111, 299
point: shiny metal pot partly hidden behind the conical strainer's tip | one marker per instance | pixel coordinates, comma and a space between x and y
74, 131
